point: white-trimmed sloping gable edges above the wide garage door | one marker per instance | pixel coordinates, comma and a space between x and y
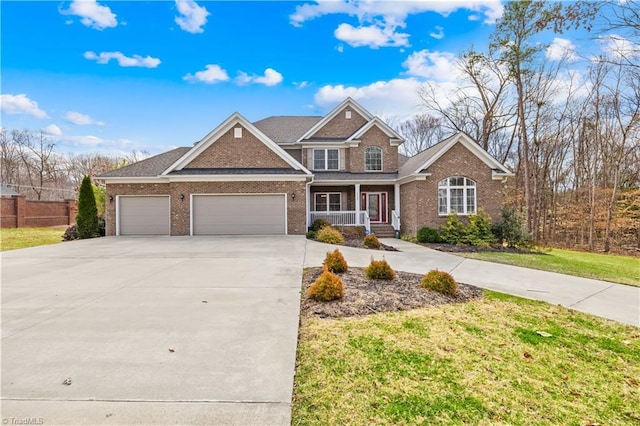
191, 158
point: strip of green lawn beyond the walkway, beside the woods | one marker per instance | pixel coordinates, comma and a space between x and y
606, 267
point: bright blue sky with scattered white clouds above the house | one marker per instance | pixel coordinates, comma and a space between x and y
120, 76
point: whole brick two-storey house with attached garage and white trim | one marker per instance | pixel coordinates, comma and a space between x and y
277, 175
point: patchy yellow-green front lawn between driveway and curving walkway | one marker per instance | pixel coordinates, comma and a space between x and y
483, 362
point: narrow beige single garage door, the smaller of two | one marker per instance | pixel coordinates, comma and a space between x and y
144, 215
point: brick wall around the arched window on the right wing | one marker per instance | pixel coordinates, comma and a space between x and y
419, 199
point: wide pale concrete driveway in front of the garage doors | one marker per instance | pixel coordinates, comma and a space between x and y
106, 312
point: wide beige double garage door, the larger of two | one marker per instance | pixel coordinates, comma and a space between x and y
239, 214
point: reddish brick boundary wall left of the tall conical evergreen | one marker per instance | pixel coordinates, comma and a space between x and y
18, 212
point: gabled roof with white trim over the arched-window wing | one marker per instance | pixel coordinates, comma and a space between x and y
426, 158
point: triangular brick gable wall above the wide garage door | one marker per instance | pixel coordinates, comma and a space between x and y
245, 152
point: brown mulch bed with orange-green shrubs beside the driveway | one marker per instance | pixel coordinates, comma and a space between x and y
363, 296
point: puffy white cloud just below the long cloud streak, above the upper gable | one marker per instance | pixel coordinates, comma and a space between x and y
373, 36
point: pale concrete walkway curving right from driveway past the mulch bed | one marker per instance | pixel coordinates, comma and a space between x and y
613, 301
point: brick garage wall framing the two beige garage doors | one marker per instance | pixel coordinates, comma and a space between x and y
180, 210
